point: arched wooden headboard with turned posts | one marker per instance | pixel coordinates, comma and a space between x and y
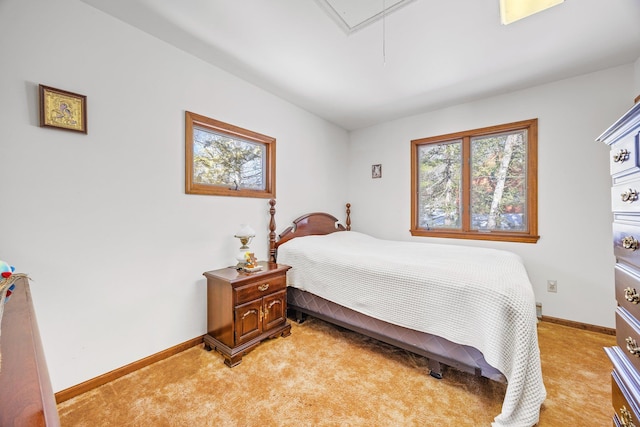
316, 223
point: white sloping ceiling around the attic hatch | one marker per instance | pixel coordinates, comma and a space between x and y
422, 56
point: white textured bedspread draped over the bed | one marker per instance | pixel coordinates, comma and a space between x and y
472, 296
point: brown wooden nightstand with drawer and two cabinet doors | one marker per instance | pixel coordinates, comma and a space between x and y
243, 309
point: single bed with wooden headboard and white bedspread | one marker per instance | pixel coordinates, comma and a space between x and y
465, 307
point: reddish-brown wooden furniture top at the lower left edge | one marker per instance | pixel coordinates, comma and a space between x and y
26, 396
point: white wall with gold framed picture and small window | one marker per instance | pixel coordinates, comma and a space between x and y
100, 222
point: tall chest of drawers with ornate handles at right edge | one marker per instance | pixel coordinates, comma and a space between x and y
624, 138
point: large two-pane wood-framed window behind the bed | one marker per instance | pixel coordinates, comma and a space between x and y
479, 184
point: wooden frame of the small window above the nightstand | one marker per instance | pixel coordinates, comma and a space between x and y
195, 120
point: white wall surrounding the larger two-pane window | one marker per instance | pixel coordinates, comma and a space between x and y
575, 247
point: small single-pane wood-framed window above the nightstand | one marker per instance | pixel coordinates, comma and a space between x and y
225, 160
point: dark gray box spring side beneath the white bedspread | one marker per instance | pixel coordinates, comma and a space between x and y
436, 349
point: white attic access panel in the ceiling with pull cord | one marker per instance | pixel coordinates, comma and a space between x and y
352, 15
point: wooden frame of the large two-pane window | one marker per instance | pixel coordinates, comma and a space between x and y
528, 236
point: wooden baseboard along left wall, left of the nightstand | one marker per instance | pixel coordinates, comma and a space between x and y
88, 385
